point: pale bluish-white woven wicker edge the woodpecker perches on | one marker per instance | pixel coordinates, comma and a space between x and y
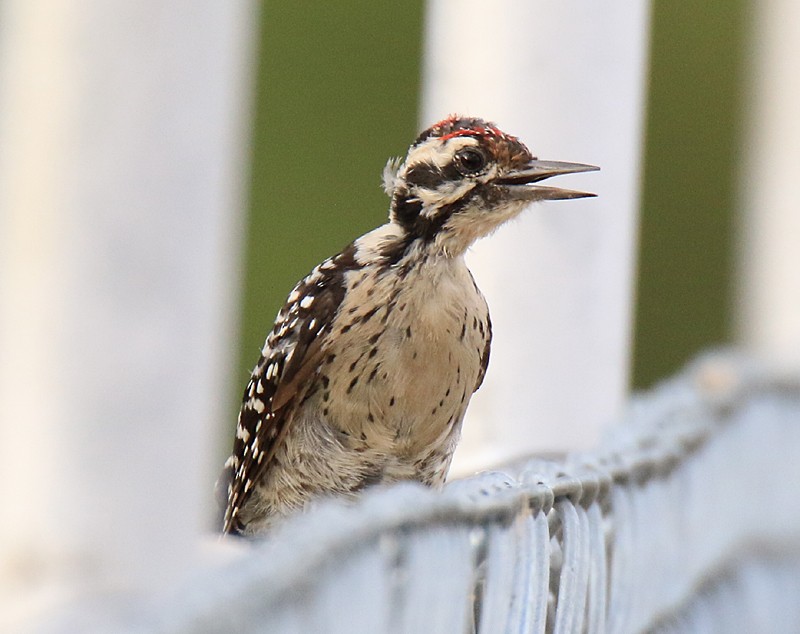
685, 519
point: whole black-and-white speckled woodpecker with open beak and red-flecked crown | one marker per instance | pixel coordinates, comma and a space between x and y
371, 363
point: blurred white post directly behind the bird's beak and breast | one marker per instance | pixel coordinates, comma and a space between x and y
567, 77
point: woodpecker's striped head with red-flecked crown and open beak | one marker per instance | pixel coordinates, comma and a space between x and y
462, 178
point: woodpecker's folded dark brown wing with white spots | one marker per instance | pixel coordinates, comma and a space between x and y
291, 356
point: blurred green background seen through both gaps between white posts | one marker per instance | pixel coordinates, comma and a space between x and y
337, 95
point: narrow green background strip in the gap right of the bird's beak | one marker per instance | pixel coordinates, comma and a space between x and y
692, 150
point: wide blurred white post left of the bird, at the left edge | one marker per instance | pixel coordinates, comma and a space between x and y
121, 137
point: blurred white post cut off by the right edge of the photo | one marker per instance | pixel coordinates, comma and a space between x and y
768, 308
